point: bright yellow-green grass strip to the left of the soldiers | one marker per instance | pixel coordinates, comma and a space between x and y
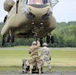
12, 57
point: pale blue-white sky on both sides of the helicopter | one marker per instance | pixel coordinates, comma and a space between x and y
64, 11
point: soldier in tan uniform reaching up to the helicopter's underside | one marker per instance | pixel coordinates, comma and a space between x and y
34, 56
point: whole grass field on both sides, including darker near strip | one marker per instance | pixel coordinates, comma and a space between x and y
62, 58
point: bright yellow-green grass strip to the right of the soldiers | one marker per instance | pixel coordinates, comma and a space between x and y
64, 58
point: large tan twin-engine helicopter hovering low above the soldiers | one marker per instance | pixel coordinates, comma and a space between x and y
28, 19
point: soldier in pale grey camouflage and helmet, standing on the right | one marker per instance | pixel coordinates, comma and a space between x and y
46, 56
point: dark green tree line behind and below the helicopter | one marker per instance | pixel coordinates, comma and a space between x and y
64, 36
